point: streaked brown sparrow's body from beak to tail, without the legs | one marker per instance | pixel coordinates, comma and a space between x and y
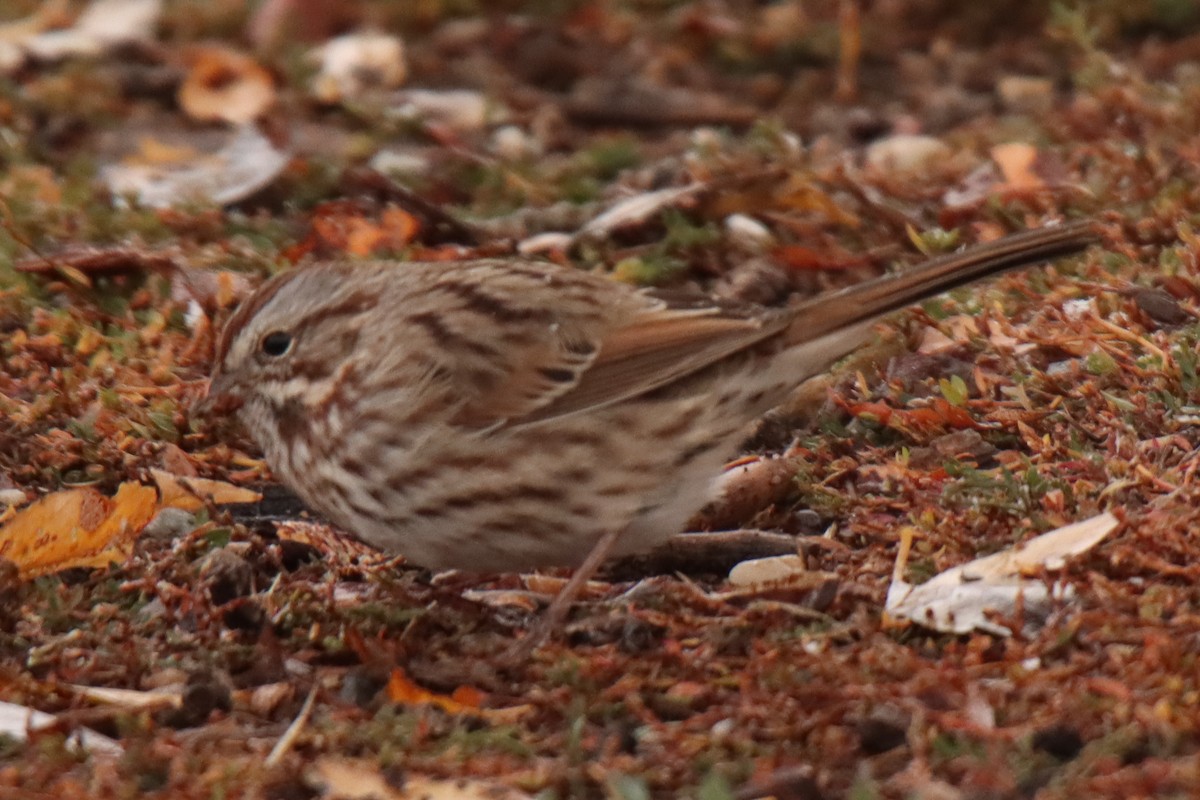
508, 414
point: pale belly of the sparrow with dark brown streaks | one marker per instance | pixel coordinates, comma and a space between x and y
530, 497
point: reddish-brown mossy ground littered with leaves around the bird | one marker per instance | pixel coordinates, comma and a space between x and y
157, 164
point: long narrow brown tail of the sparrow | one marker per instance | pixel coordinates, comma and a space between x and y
872, 299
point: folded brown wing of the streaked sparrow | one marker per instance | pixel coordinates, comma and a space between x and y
514, 353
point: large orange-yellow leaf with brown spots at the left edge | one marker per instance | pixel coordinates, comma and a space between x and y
77, 528
